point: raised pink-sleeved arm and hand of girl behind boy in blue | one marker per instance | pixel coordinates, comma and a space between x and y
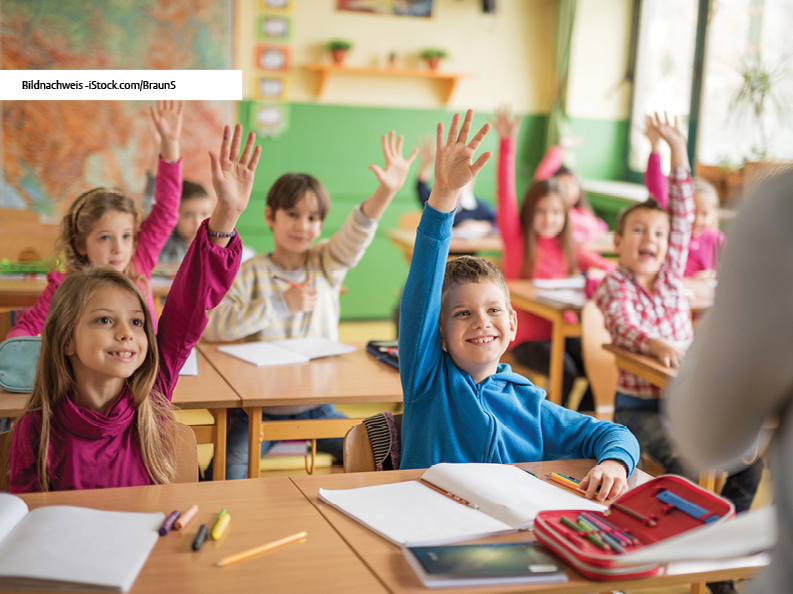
507, 215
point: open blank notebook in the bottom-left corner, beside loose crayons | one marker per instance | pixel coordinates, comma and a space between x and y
72, 548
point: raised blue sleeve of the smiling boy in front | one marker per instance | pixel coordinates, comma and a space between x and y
420, 354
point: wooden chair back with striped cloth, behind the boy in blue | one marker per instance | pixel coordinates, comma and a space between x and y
372, 443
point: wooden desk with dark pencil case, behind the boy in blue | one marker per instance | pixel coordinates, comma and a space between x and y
345, 379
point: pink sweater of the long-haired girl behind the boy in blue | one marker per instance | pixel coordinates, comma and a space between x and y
550, 261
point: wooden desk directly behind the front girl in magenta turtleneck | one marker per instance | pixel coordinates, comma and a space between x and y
205, 390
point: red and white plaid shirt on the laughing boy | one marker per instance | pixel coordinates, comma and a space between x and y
635, 317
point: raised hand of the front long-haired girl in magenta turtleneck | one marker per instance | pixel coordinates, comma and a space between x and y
232, 178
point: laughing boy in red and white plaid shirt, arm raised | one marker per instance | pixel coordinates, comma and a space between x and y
646, 312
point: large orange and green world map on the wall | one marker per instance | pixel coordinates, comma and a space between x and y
52, 151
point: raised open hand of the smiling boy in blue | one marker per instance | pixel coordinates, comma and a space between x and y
453, 166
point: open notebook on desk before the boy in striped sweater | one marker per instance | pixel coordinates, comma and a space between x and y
286, 352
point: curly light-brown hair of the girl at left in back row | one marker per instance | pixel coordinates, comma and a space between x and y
81, 218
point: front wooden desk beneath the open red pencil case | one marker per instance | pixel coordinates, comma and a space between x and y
385, 560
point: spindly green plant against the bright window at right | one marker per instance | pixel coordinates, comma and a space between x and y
757, 91
